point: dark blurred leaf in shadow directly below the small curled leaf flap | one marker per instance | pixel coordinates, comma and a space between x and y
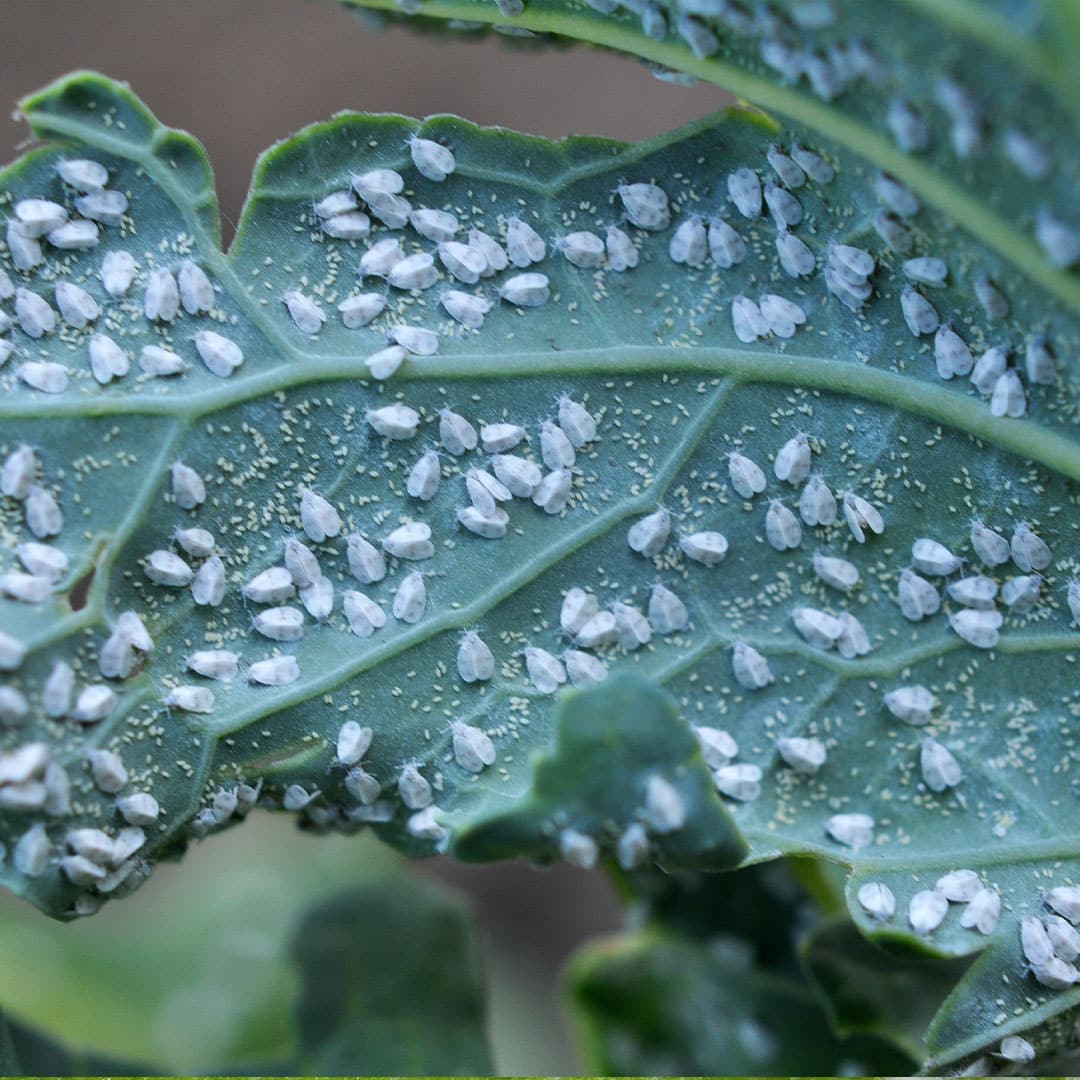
711, 985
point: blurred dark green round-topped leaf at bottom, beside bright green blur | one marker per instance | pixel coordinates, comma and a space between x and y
391, 984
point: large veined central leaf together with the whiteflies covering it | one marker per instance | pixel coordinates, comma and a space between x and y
670, 535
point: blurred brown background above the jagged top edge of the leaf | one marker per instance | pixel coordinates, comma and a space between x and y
241, 74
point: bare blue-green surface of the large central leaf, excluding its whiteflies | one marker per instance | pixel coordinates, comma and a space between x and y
653, 357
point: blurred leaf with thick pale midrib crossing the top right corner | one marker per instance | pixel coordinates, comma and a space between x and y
1016, 61
